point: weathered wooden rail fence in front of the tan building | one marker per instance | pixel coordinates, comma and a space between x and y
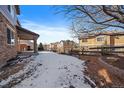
100, 50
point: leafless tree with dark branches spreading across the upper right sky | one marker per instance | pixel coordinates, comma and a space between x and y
94, 18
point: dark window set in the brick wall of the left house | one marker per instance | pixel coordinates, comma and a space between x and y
10, 37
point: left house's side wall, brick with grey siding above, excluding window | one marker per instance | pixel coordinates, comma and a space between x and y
7, 51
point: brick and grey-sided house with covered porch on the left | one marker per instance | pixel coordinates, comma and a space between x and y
11, 32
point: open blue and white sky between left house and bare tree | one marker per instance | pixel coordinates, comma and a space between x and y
43, 20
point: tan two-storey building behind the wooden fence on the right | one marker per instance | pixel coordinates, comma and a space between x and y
102, 39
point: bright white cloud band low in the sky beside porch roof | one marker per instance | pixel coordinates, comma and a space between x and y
47, 33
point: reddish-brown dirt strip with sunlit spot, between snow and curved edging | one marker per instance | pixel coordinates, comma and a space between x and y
100, 74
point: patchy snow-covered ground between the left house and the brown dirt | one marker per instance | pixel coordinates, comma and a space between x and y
53, 70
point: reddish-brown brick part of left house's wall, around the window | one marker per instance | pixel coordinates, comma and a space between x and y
7, 52
